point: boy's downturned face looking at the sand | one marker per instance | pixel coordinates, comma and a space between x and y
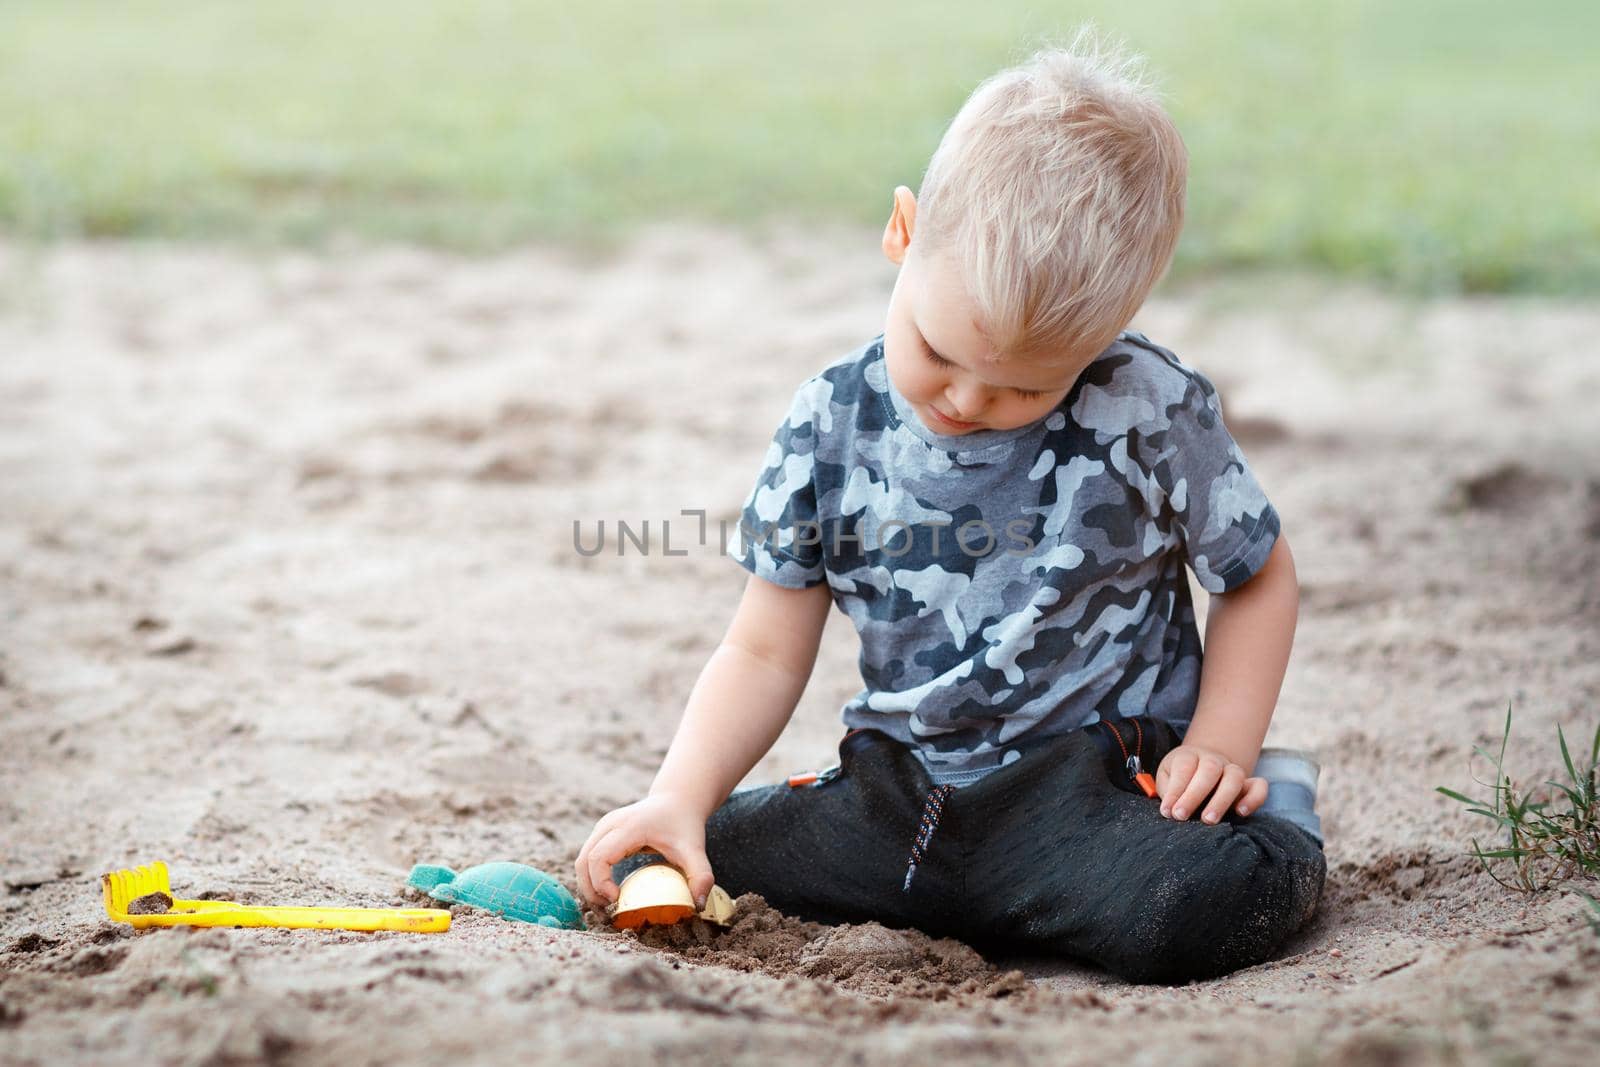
940, 361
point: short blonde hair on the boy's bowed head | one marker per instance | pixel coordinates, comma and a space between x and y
1060, 190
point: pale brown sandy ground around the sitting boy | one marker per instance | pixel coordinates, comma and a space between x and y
289, 599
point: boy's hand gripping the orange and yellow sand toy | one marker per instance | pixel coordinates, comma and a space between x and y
662, 823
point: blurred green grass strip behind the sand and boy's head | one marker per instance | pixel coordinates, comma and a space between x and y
1433, 146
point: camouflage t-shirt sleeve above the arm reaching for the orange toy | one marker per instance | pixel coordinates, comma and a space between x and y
778, 537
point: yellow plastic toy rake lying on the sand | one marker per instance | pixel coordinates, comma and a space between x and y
124, 887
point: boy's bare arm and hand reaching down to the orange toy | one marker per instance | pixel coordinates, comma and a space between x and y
735, 713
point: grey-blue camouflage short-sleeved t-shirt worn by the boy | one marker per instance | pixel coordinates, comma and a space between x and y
1012, 585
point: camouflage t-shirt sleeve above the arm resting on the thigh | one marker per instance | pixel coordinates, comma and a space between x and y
1209, 494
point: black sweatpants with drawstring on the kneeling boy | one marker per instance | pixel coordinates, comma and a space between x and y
1058, 852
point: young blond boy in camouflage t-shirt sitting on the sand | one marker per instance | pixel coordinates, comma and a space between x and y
1002, 492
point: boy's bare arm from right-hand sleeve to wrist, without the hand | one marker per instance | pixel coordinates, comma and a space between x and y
1247, 650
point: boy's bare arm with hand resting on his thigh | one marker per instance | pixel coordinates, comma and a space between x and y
1247, 650
